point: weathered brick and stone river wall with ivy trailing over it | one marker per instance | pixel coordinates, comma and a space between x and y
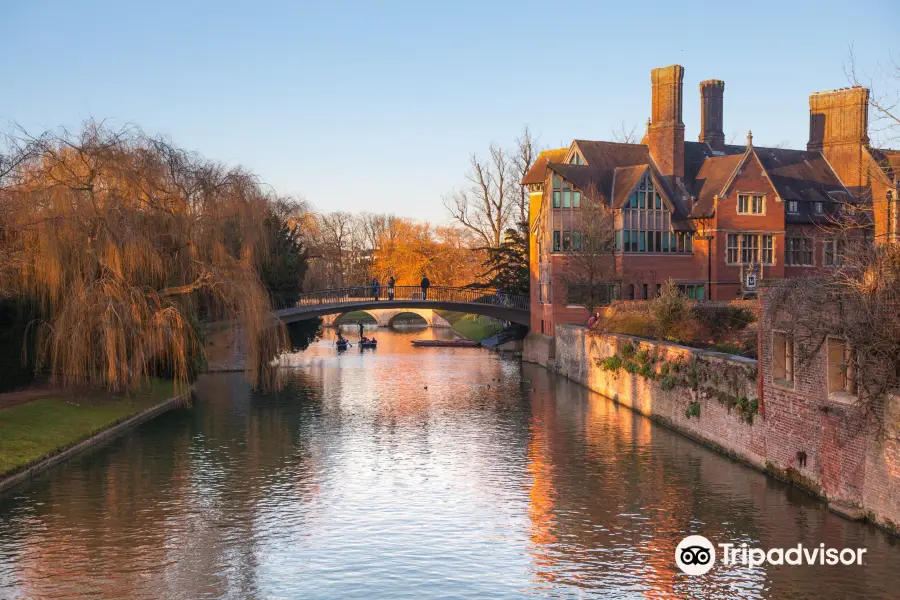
714, 398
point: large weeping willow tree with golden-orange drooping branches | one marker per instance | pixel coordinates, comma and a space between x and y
129, 245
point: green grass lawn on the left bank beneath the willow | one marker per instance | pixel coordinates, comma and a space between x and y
40, 428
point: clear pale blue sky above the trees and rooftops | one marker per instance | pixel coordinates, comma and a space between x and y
376, 105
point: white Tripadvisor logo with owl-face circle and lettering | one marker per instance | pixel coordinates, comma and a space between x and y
696, 555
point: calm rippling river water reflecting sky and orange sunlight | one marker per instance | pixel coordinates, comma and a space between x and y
497, 481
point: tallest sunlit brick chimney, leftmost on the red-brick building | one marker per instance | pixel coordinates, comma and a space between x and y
666, 127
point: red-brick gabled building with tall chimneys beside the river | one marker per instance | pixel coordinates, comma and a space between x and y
715, 217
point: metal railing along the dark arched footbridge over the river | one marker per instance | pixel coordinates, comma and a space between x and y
364, 294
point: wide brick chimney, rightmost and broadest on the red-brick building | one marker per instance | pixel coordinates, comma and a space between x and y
838, 127
